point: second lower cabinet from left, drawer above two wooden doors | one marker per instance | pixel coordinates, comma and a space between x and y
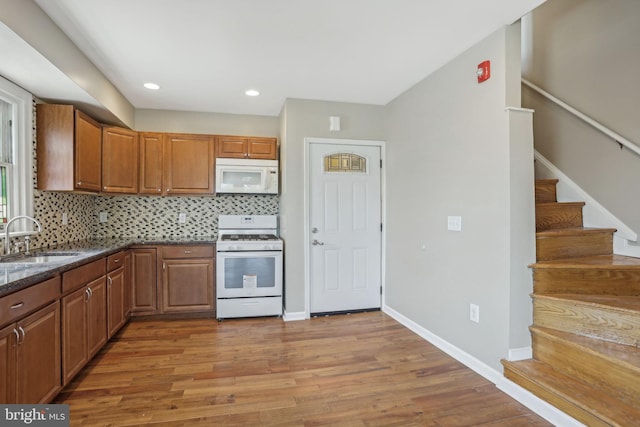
84, 316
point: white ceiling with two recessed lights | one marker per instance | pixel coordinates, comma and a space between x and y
204, 54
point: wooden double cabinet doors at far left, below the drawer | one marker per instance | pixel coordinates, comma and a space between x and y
30, 357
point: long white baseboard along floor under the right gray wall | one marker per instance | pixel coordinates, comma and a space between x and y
539, 406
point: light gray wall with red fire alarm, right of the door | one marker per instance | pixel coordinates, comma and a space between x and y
448, 153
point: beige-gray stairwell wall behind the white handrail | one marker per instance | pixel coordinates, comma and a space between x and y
586, 53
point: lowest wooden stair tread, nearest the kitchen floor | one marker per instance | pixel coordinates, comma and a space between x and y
576, 393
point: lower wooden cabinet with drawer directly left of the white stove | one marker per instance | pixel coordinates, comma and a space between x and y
187, 279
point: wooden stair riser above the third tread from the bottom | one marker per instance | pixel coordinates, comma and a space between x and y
586, 281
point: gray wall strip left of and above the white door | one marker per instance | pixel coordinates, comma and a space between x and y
301, 119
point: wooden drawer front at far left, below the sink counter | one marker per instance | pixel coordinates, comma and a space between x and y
27, 300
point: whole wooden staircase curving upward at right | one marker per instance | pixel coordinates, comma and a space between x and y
586, 319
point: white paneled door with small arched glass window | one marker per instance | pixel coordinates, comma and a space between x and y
345, 227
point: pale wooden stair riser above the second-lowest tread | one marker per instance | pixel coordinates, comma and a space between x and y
599, 322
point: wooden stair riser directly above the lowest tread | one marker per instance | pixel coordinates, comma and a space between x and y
606, 374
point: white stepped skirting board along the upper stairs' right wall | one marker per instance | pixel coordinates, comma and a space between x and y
593, 213
